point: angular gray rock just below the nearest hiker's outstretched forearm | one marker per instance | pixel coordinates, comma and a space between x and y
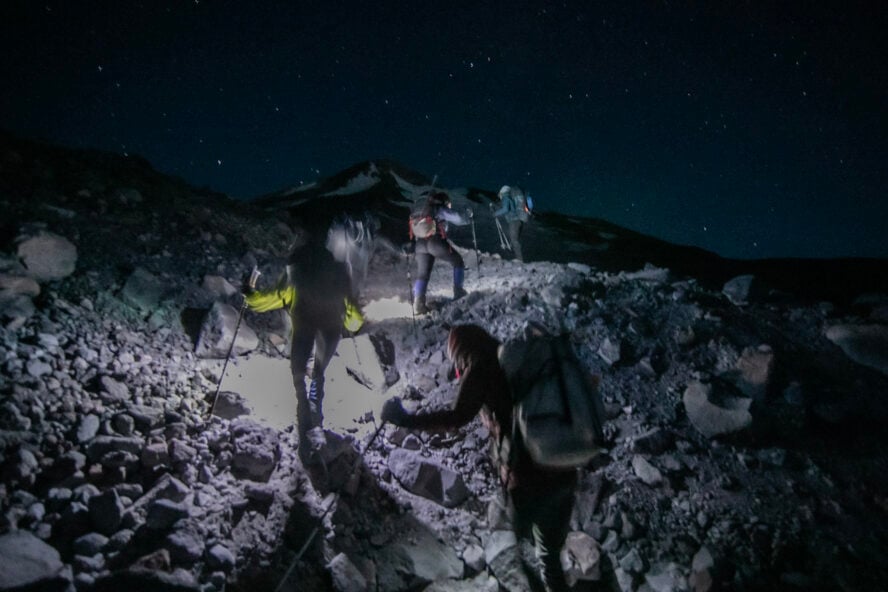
427, 479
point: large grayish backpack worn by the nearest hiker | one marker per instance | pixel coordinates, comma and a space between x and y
557, 409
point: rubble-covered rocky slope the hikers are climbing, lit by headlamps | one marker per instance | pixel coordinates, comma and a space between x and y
746, 428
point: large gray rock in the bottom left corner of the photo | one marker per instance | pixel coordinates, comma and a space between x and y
28, 561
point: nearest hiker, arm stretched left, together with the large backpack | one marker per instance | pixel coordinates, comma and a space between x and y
544, 417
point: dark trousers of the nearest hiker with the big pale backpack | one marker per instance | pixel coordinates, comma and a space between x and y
541, 512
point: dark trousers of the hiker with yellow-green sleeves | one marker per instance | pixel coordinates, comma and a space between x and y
309, 333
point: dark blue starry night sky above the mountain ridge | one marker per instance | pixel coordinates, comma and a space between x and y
752, 129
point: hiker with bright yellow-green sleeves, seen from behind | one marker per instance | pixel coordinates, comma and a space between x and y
317, 293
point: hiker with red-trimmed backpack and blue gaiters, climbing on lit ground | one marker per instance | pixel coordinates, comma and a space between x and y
428, 228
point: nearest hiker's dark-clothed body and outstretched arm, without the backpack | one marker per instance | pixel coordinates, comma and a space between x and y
540, 501
